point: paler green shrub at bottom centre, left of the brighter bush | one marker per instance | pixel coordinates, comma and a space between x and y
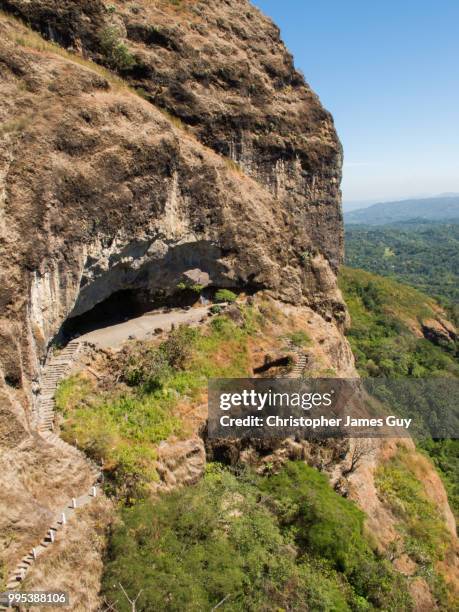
195, 547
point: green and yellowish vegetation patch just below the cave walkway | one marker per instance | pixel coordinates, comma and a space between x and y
123, 425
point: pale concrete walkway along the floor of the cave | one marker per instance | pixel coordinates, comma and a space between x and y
142, 327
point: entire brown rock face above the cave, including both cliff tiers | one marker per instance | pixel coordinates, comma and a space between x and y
101, 192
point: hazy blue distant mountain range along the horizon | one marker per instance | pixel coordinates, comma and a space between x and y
440, 208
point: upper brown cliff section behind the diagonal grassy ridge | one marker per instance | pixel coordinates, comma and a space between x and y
221, 68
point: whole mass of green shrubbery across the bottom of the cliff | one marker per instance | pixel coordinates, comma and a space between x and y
287, 541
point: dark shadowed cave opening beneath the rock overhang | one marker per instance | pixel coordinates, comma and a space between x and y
188, 275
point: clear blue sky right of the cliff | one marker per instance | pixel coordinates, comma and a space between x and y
389, 72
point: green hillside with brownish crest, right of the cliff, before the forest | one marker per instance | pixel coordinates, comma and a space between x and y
387, 336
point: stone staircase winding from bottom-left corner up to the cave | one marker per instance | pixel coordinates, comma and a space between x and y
56, 368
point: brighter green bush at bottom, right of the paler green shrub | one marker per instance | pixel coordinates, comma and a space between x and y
331, 527
